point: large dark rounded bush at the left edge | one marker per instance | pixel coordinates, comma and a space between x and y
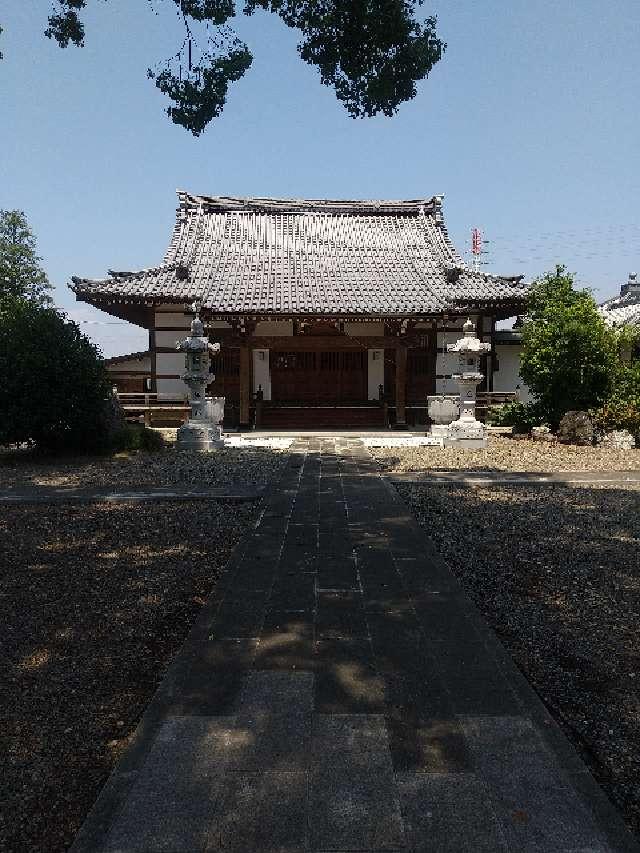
53, 384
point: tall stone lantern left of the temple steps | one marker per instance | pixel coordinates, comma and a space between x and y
202, 431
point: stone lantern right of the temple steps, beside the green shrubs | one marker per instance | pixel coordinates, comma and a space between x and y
467, 431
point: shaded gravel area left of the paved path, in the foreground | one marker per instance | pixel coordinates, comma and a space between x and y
95, 602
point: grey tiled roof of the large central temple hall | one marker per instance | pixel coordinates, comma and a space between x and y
286, 257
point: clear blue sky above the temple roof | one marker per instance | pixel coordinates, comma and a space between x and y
530, 126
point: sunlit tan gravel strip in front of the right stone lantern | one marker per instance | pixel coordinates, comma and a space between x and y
508, 454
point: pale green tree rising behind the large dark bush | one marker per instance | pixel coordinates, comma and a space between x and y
20, 272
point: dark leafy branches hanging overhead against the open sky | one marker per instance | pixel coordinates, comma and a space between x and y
371, 52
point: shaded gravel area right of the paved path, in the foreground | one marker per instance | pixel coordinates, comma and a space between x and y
556, 573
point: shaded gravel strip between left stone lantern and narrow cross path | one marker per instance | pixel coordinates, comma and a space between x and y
253, 466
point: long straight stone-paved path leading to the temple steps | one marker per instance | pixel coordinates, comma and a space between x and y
345, 696
